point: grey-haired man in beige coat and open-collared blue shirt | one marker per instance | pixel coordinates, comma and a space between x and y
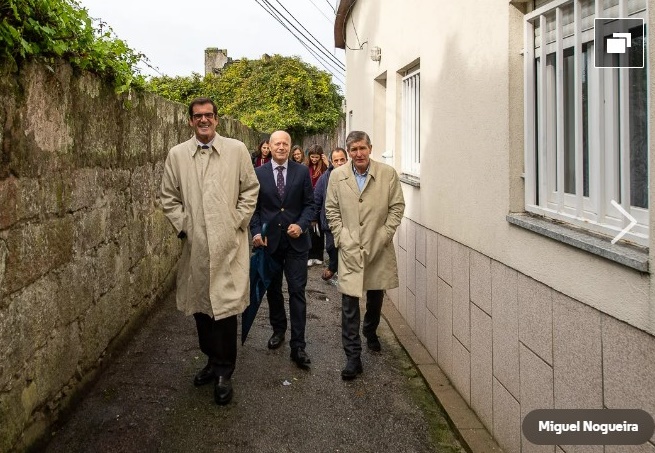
364, 206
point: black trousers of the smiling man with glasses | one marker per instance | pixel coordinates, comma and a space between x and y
218, 341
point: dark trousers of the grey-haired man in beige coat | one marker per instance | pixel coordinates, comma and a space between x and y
350, 318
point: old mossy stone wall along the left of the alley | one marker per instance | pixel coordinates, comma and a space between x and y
84, 249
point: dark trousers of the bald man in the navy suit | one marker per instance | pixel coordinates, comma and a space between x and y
293, 265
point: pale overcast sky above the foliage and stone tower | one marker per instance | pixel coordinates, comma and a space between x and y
174, 35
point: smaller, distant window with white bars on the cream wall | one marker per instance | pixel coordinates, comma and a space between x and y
411, 122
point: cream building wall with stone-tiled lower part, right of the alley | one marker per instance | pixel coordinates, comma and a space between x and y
516, 320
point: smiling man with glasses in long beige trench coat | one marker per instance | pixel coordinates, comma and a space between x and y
209, 192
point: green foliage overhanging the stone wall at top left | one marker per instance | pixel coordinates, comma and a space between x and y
61, 29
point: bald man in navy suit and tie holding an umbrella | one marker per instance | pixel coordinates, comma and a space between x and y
286, 205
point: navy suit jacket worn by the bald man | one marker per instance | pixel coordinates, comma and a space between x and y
297, 206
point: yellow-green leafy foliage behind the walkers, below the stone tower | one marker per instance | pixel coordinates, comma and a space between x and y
272, 93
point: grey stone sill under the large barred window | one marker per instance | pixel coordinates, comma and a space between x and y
632, 256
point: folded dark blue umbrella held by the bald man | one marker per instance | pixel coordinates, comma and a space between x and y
262, 269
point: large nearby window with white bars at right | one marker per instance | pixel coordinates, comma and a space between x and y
586, 129
